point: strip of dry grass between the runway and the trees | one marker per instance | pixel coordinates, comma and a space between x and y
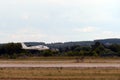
46, 60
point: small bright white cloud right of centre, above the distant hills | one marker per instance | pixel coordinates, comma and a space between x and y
86, 29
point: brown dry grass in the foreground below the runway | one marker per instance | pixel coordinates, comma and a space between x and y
59, 74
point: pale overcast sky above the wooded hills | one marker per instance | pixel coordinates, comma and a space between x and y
58, 20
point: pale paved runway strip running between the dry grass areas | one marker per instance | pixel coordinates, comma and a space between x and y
73, 65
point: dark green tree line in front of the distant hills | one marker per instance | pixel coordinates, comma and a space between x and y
14, 50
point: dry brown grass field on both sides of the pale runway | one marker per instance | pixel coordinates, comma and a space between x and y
59, 73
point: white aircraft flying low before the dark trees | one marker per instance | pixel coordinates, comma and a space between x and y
38, 47
